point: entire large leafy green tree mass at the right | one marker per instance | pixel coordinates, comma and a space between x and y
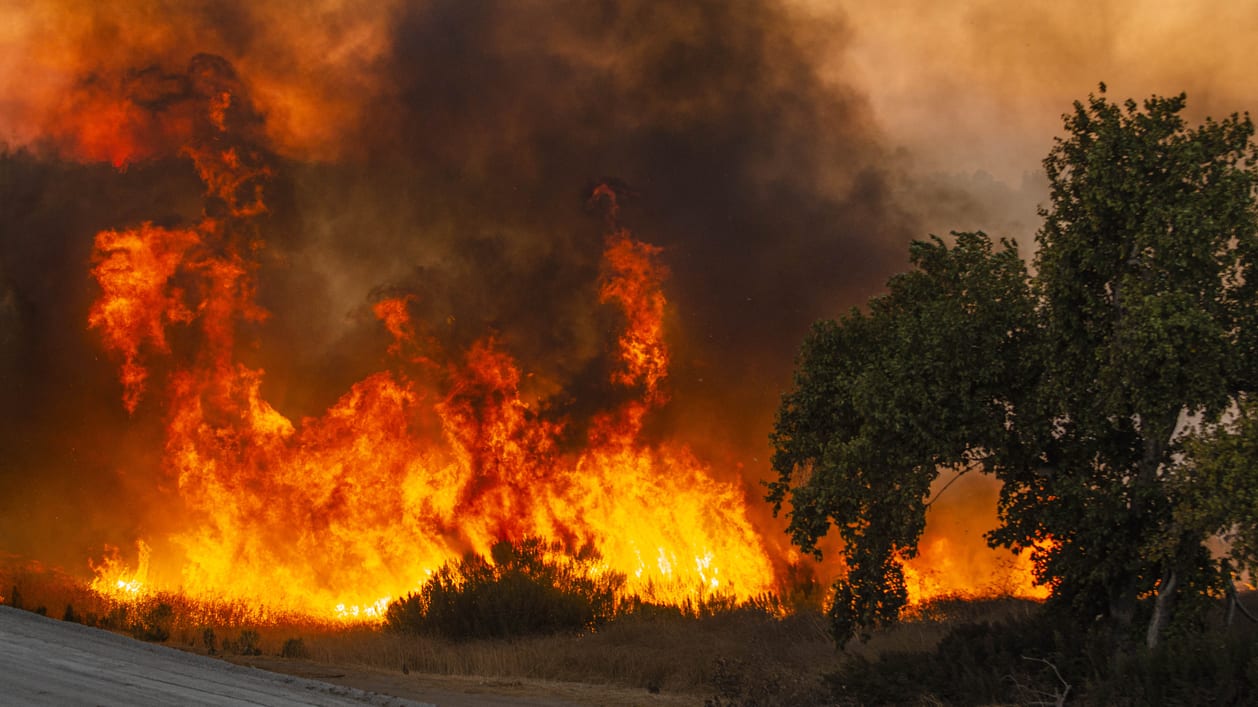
1076, 387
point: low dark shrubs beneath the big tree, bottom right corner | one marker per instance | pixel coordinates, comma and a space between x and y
1033, 660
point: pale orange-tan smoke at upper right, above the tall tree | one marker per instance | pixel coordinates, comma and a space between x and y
973, 92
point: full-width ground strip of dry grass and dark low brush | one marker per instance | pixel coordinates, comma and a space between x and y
955, 650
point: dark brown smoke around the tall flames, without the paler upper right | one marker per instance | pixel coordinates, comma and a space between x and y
464, 179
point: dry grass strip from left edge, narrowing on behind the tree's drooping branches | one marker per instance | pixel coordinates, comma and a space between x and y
749, 655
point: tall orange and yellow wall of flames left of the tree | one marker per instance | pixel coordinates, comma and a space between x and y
413, 466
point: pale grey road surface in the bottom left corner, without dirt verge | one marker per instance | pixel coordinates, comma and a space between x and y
50, 662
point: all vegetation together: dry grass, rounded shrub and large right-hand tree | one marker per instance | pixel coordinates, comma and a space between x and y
1110, 388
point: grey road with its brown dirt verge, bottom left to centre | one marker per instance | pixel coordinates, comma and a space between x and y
51, 662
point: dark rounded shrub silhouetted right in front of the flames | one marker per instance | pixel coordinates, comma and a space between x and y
524, 589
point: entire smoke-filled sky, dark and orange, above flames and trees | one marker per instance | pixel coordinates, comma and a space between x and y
783, 155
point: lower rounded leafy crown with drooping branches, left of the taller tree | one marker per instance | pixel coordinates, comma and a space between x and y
882, 401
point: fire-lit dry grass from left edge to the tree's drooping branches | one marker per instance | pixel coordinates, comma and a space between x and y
685, 649
